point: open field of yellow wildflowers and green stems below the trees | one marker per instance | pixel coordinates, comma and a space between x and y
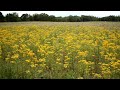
60, 50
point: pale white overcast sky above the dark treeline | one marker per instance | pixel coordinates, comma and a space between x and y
67, 13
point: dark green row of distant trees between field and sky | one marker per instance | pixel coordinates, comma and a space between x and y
14, 17
